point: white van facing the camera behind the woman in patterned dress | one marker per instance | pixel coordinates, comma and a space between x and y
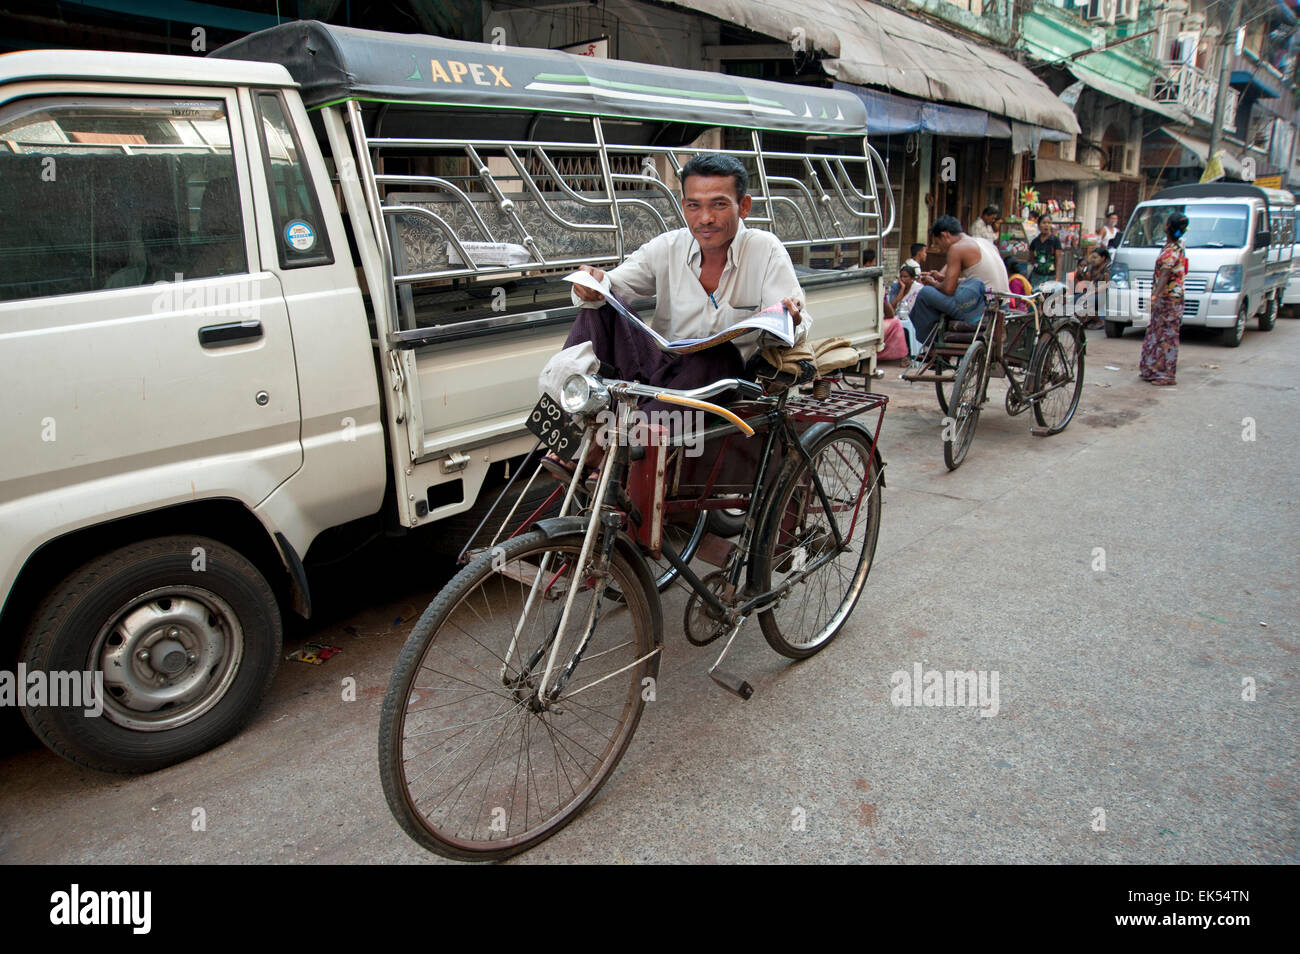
1240, 250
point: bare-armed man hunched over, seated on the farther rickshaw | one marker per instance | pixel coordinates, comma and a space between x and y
957, 289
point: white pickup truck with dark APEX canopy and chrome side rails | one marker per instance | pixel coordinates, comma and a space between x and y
258, 305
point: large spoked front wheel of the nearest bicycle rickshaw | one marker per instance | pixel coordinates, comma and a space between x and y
475, 765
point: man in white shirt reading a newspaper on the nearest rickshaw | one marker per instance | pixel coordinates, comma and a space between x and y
707, 277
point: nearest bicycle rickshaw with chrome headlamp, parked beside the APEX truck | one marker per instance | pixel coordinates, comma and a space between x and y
523, 683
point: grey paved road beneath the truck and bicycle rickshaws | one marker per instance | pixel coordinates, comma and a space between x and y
1120, 691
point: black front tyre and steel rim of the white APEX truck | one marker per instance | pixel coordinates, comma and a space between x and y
183, 634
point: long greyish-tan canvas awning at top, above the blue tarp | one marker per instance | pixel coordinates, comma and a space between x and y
869, 45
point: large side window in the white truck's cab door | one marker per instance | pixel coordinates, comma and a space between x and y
116, 193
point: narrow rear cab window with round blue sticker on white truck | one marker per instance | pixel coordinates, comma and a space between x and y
300, 228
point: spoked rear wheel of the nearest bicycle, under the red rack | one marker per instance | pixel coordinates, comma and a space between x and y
798, 547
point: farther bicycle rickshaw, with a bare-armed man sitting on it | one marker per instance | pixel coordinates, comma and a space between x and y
1042, 359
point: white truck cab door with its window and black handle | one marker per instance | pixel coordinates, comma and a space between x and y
135, 314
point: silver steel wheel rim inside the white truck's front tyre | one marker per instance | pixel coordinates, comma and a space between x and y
168, 657
